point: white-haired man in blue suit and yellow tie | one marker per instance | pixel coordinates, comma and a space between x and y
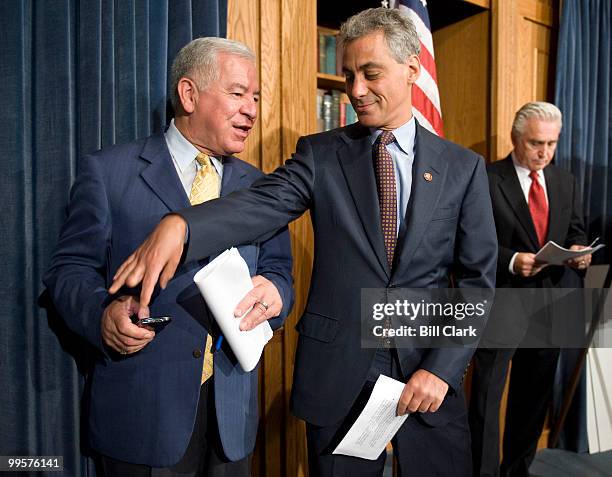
162, 404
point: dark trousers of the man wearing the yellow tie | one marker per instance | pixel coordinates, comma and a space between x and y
204, 456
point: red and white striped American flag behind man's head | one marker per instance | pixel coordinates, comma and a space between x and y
425, 95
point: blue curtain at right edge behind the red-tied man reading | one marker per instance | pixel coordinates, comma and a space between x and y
582, 92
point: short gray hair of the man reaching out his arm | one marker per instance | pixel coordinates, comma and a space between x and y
400, 33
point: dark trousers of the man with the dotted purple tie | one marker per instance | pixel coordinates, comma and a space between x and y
421, 450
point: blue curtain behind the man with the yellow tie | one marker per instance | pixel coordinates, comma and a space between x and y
75, 76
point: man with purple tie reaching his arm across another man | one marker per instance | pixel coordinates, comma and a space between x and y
392, 206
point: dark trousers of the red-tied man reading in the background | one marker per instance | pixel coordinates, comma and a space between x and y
531, 382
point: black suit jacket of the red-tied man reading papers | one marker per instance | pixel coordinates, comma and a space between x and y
515, 312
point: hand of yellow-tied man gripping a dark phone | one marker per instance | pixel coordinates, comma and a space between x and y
118, 331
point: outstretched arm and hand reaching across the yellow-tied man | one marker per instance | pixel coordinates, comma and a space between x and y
246, 216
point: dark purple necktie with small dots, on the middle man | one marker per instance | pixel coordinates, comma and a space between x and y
387, 195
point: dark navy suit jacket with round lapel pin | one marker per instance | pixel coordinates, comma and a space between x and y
449, 227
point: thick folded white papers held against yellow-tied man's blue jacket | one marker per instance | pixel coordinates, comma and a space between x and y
223, 283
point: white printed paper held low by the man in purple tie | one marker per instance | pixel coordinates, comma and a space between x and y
377, 423
